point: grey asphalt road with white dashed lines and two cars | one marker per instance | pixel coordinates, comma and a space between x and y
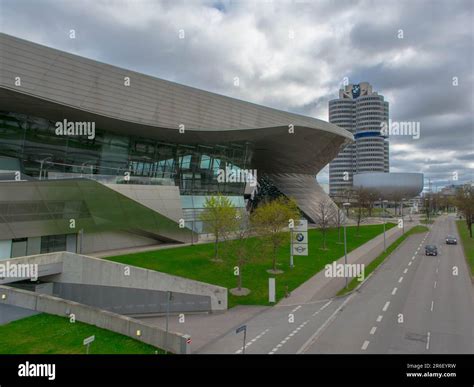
412, 304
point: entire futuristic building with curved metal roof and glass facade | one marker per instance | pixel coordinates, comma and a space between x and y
95, 157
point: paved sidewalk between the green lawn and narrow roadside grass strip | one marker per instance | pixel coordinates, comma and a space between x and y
320, 287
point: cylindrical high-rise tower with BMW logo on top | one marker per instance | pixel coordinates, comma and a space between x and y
361, 111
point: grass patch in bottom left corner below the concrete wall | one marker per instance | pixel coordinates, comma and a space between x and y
48, 334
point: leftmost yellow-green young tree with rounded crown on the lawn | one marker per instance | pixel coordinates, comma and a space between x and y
219, 219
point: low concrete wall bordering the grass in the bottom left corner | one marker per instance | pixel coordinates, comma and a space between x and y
176, 342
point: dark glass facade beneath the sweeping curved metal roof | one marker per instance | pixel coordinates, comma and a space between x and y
194, 168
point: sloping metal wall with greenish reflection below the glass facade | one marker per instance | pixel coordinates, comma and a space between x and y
45, 207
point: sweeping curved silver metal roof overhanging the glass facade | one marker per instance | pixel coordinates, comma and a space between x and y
61, 85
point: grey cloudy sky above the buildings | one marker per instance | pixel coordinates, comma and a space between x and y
292, 55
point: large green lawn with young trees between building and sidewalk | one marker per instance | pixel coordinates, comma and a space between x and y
194, 262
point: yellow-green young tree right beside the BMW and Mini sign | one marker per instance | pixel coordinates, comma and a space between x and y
270, 219
